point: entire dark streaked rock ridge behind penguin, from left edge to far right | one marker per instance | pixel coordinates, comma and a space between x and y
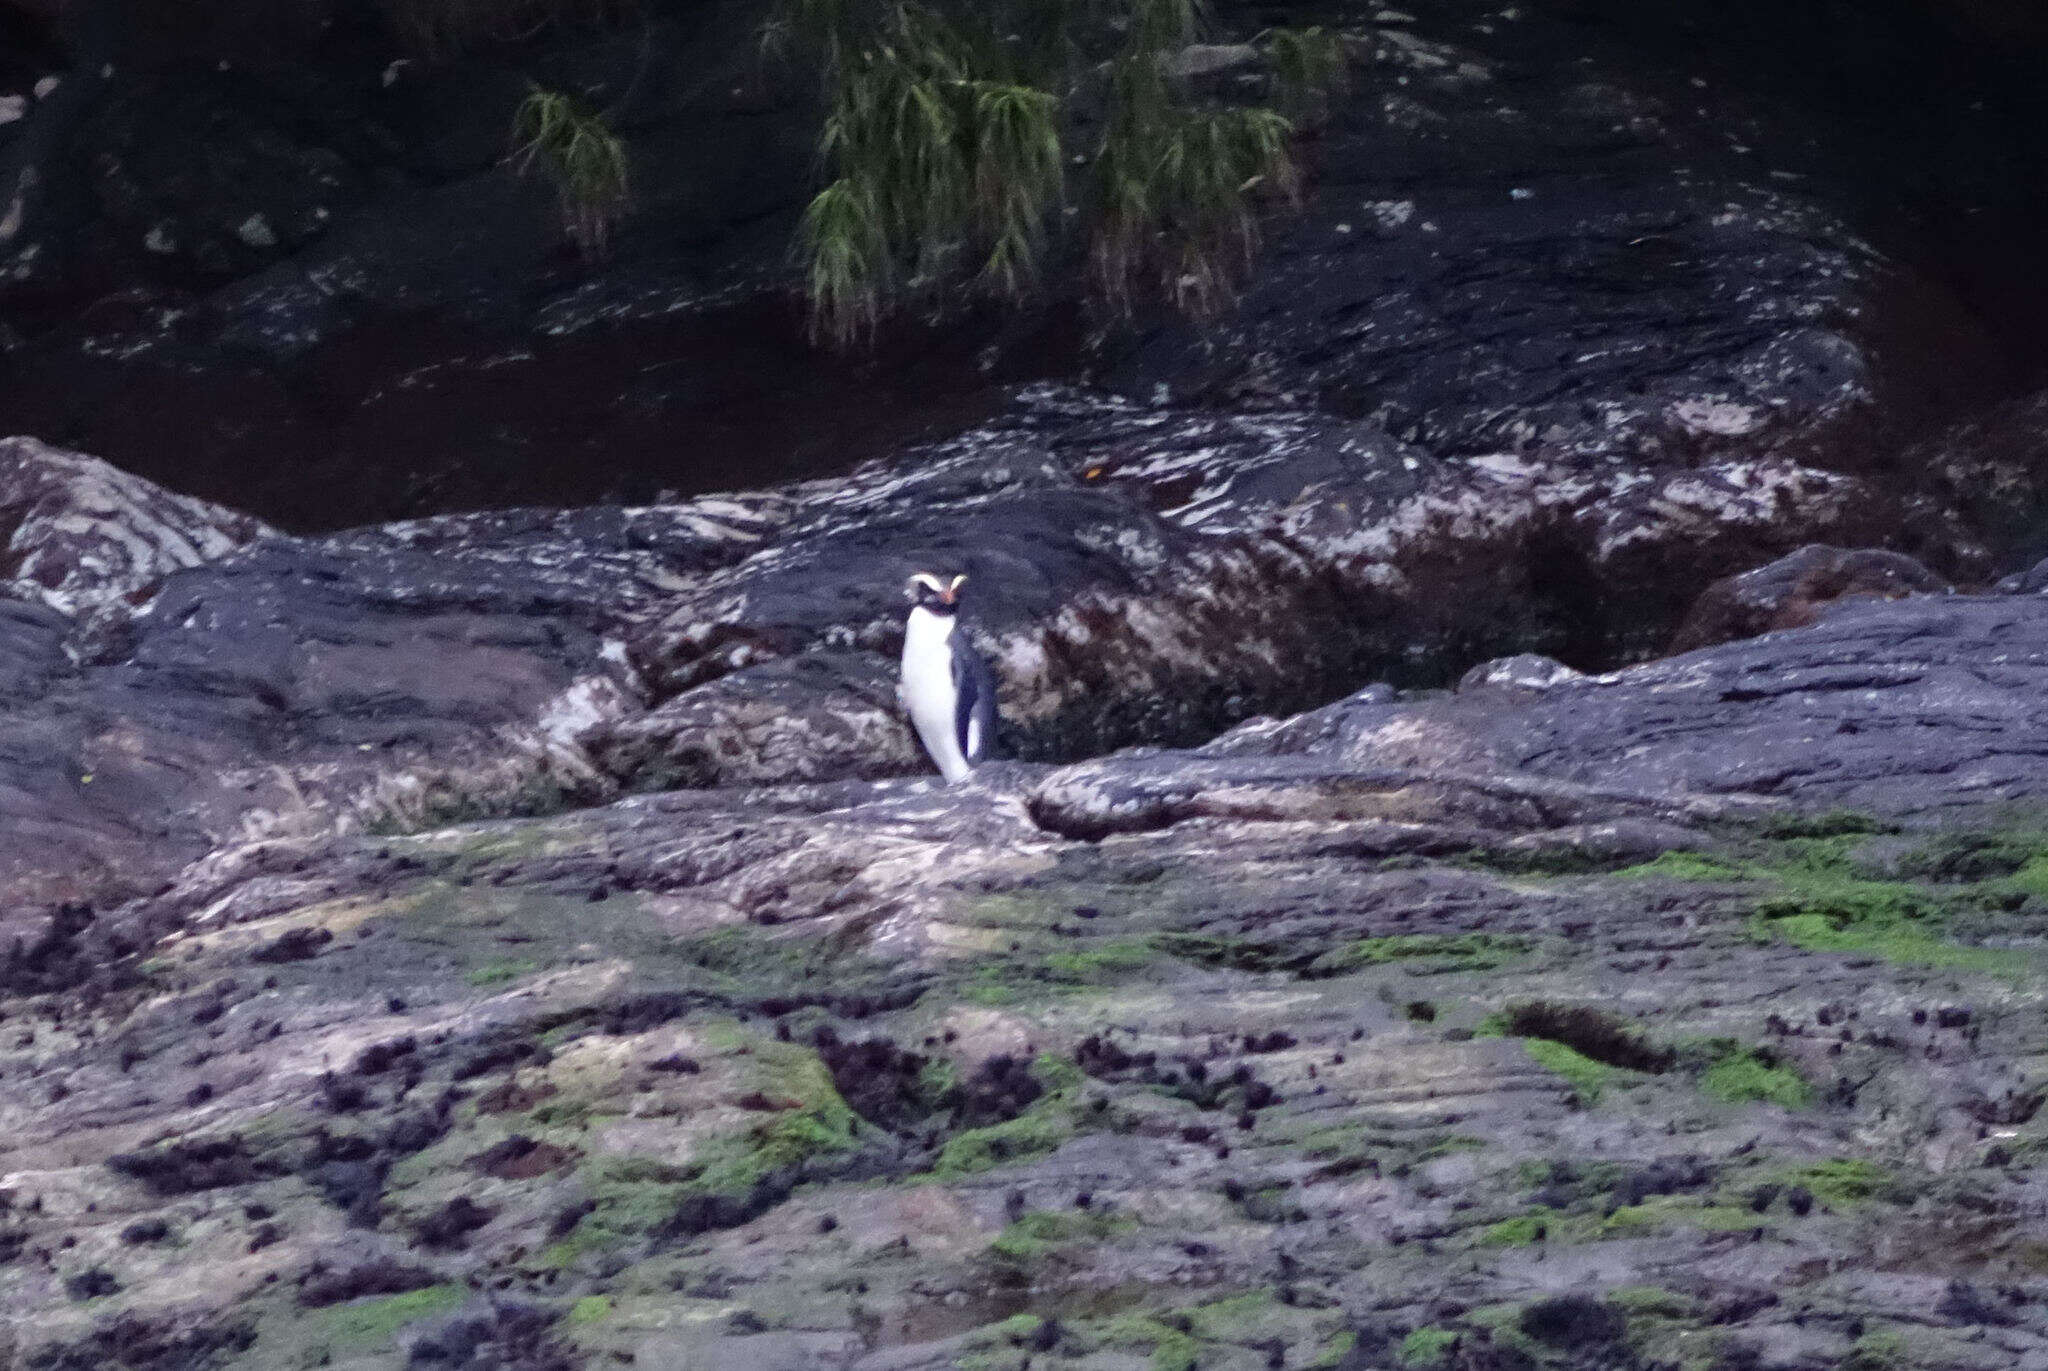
1140, 577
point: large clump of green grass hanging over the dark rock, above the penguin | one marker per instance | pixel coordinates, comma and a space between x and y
951, 138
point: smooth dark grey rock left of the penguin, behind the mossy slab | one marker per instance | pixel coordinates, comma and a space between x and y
411, 673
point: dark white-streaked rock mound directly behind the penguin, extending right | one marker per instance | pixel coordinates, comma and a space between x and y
1158, 575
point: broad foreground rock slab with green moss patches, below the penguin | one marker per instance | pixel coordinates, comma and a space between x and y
1568, 1015
